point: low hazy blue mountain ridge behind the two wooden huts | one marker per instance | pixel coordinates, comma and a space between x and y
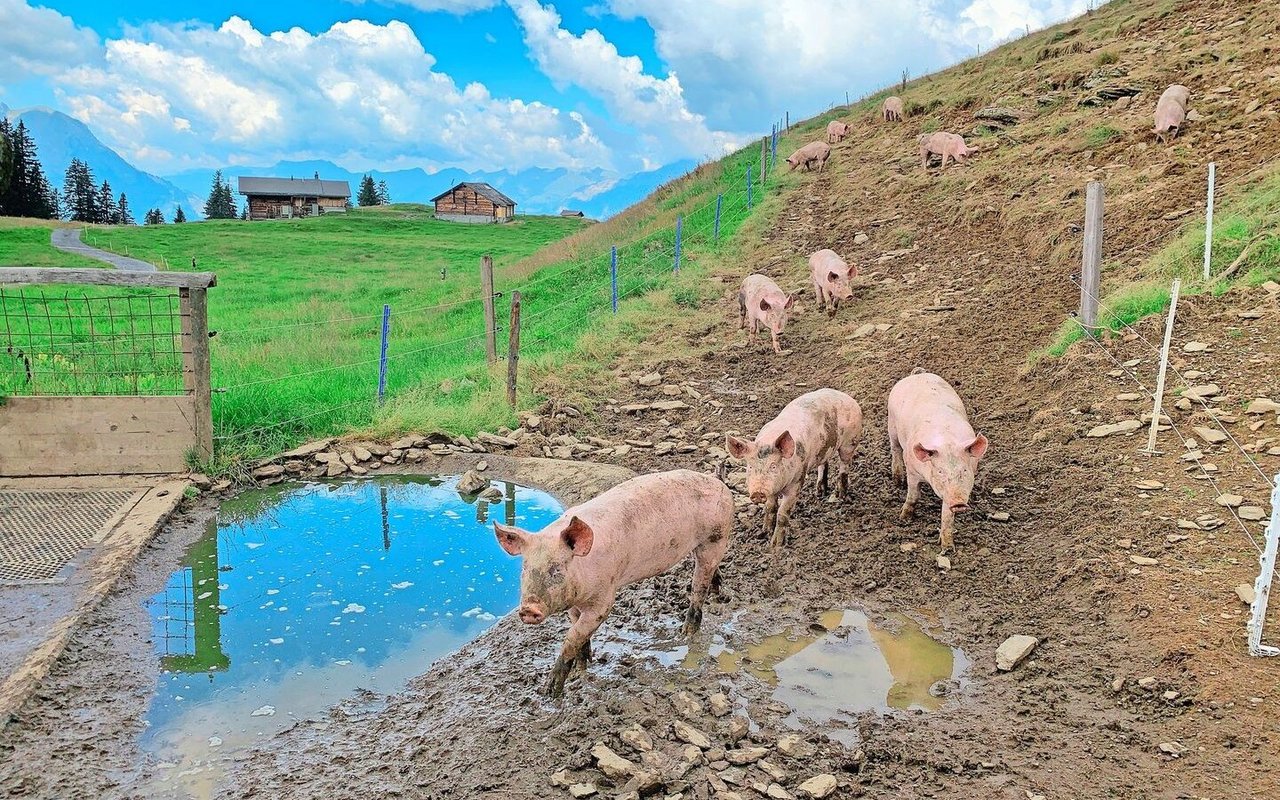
597, 193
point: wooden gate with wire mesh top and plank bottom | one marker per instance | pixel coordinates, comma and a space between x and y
103, 372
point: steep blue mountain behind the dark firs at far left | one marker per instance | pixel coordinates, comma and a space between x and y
60, 139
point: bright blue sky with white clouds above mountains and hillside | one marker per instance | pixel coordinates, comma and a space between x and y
618, 85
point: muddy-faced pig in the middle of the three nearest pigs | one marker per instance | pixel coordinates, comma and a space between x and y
801, 440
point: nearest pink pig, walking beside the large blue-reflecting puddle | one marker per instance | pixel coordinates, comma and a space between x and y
636, 531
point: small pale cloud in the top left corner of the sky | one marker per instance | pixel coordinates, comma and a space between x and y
40, 42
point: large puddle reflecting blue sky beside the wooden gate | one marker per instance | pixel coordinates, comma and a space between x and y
300, 597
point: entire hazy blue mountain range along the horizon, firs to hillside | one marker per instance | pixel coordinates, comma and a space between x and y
596, 193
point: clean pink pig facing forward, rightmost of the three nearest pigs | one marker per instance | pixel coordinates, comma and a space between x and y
931, 441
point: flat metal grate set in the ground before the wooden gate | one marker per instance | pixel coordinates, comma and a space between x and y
43, 529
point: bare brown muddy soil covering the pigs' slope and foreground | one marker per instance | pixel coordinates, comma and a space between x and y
1073, 721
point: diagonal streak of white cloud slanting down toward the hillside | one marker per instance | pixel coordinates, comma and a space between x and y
653, 107
